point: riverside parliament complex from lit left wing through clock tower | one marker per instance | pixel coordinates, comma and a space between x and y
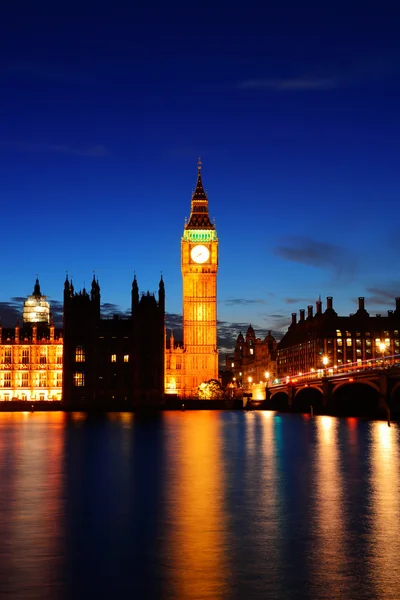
92, 361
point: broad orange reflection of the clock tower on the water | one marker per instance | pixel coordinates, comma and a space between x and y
197, 558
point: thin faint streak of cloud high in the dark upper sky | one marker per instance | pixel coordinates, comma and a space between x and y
290, 84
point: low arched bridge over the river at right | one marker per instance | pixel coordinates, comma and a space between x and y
358, 391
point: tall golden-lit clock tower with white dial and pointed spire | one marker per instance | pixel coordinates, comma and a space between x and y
199, 265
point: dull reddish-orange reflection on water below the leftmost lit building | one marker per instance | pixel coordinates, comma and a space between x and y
32, 498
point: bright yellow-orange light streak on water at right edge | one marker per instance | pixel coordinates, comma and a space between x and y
385, 508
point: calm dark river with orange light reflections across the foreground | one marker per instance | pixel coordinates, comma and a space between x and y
198, 504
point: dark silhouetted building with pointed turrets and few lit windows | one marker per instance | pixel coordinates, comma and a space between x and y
116, 362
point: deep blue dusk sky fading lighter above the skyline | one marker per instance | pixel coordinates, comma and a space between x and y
293, 108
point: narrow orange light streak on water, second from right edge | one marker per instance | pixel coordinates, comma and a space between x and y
329, 559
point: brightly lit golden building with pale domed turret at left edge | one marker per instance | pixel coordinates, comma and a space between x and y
31, 356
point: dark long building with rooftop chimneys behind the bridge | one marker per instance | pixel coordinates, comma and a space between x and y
325, 340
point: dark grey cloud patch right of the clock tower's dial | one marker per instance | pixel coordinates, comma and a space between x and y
314, 253
